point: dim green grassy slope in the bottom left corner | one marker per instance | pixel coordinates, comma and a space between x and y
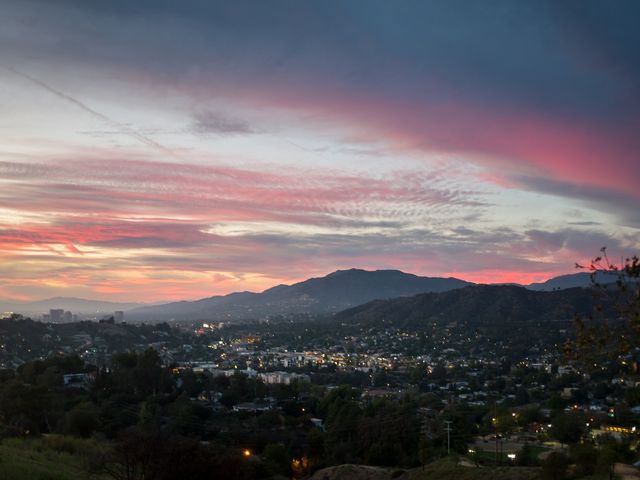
48, 458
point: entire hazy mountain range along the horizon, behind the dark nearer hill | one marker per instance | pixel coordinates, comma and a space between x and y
337, 291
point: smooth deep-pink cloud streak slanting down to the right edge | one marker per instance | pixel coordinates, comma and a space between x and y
507, 141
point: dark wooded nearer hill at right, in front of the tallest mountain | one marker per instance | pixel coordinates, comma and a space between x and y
503, 305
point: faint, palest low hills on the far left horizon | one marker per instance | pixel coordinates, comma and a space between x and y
75, 305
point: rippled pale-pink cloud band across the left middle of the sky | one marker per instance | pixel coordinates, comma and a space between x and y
217, 193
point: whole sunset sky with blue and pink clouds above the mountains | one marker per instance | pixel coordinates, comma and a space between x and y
160, 150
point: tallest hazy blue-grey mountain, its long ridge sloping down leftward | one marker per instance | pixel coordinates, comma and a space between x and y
334, 292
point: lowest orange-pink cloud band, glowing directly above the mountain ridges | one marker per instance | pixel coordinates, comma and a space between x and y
501, 256
